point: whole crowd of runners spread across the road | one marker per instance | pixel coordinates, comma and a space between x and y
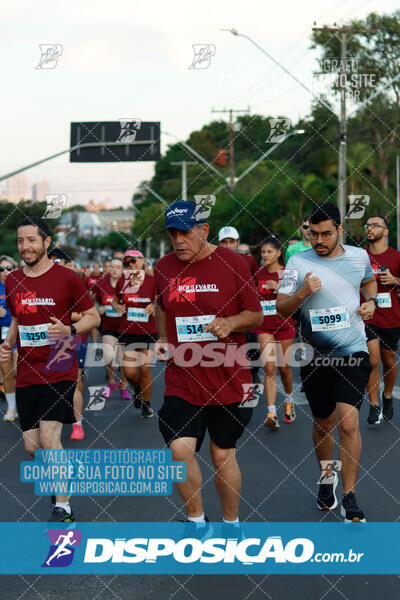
217, 315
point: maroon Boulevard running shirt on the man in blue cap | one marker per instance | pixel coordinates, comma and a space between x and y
217, 285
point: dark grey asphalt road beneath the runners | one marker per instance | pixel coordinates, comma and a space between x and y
279, 484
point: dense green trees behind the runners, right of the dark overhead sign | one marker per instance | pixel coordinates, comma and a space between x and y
303, 171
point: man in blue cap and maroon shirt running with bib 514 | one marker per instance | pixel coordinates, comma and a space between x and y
206, 303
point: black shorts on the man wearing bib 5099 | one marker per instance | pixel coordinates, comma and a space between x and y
324, 386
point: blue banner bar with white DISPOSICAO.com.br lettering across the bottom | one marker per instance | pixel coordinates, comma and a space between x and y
176, 548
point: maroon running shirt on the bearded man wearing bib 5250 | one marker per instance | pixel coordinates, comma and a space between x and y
32, 301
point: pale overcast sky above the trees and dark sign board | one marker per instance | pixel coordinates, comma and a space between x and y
127, 59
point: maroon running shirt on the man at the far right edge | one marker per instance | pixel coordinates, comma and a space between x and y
386, 317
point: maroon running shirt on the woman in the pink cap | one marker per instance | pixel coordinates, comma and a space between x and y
136, 298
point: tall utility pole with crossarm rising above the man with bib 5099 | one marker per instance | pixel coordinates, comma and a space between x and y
344, 34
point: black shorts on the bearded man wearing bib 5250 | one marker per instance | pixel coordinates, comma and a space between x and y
51, 402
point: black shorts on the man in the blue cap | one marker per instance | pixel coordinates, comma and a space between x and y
225, 423
